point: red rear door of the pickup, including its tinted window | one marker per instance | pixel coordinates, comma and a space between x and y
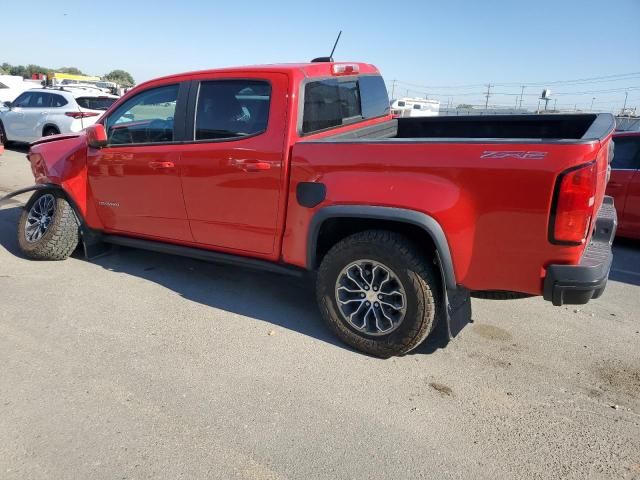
232, 171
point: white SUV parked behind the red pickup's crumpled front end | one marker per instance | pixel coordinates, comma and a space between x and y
43, 111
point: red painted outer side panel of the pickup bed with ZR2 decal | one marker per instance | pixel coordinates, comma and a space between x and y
494, 211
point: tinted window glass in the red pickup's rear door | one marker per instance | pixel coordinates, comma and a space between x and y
230, 109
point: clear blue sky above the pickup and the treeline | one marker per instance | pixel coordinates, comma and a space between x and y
427, 43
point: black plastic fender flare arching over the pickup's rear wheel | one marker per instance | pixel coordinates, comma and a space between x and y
427, 223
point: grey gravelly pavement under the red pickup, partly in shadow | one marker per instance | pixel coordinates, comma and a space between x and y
141, 365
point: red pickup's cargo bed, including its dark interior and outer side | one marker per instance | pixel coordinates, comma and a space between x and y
487, 180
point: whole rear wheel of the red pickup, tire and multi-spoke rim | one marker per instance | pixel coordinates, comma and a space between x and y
378, 292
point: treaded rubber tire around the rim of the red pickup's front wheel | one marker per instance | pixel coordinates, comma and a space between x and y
61, 237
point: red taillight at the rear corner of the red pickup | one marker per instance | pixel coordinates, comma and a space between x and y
573, 205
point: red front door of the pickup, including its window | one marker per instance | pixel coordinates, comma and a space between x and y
135, 179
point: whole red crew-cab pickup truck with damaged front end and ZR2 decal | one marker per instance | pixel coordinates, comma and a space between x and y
301, 168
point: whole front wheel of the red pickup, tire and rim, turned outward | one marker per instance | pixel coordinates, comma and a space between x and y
48, 227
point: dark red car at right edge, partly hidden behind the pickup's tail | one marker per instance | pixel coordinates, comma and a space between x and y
624, 184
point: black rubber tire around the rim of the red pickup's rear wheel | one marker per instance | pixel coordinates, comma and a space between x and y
414, 269
